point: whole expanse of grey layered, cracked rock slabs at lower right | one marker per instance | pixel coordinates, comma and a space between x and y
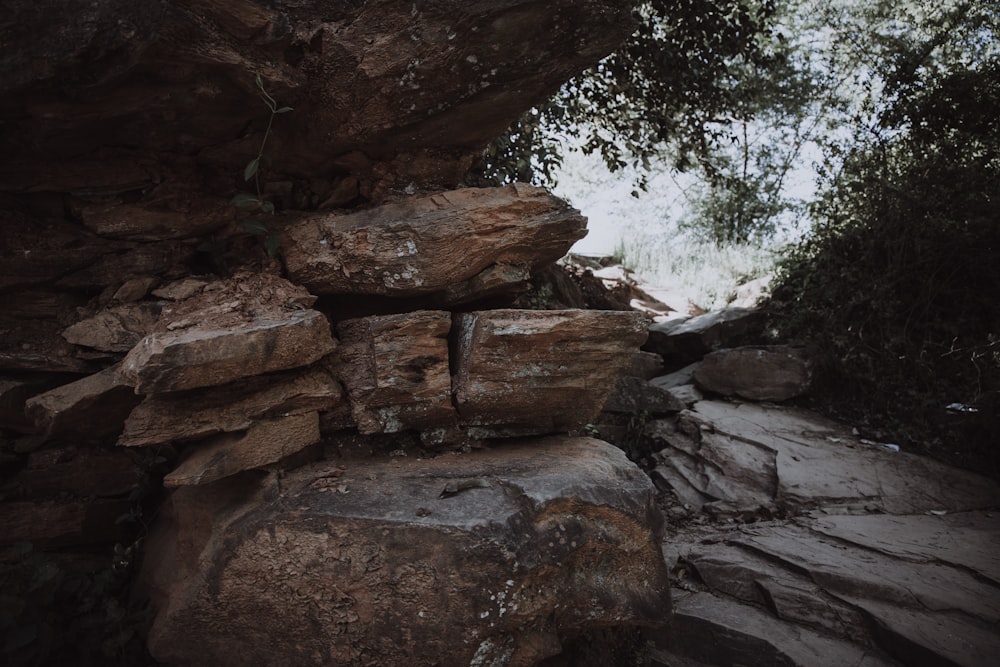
887, 559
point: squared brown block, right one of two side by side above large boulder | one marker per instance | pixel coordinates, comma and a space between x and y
540, 371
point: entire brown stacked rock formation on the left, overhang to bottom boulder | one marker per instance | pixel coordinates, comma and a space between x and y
143, 309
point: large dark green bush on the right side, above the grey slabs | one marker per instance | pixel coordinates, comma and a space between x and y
898, 285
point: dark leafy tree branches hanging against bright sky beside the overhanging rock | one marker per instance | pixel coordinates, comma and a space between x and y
672, 89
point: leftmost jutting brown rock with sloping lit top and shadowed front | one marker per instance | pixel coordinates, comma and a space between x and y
68, 410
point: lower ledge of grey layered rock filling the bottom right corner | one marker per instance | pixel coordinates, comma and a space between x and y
910, 588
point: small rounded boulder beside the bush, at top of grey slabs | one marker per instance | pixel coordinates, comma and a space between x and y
767, 373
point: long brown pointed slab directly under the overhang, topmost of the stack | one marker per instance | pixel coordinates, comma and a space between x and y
429, 244
